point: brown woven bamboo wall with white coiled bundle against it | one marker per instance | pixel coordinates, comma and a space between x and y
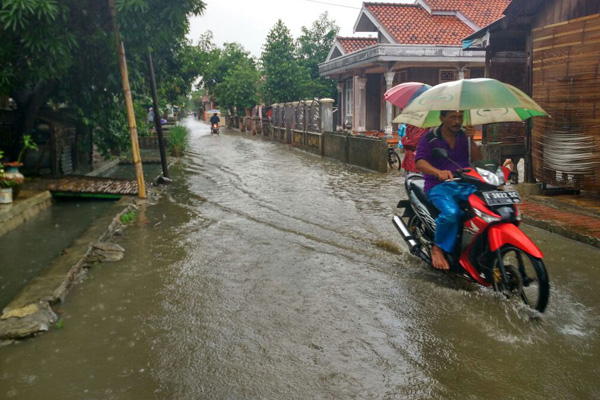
566, 83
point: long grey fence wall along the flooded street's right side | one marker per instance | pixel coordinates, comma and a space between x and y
308, 125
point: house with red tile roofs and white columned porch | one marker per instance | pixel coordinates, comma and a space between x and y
415, 42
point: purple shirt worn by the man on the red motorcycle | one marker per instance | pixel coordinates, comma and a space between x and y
433, 139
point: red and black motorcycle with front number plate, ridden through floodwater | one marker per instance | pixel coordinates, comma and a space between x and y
491, 250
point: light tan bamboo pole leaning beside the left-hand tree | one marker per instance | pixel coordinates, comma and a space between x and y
135, 146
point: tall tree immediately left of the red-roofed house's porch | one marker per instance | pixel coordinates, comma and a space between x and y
313, 47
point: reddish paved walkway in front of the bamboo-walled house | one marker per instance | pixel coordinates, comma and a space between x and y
576, 217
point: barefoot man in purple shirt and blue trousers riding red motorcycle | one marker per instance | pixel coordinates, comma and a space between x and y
444, 193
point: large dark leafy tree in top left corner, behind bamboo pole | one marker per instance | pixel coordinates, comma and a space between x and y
65, 51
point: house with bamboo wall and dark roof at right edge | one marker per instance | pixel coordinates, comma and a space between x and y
550, 49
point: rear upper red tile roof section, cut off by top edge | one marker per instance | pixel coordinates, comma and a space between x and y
481, 12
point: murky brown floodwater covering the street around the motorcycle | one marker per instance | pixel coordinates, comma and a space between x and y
265, 272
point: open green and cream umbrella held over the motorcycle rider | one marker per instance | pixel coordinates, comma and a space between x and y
483, 100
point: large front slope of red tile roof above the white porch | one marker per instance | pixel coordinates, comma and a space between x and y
412, 24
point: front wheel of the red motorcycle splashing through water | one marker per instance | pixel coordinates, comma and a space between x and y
532, 281
